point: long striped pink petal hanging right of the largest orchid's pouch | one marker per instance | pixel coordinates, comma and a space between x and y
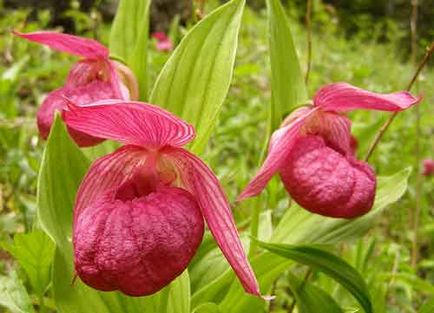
201, 182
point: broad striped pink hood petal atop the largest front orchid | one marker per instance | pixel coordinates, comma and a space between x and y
130, 122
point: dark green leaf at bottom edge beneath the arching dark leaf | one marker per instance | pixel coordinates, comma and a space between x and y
311, 299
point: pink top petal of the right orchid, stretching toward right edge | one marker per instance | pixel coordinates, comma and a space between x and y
342, 97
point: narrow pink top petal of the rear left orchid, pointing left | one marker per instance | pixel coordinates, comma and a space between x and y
84, 47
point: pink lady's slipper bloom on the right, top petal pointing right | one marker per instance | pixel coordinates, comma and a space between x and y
313, 152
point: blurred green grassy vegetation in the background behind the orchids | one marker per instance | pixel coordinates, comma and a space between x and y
368, 54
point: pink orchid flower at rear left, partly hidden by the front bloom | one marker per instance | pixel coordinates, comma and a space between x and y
94, 77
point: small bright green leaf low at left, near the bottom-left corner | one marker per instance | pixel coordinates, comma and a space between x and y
34, 252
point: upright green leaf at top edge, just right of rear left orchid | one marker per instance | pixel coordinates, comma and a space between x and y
129, 39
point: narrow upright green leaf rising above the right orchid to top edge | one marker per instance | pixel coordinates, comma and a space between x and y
287, 84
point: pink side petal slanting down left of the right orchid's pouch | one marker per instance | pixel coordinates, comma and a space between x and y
280, 146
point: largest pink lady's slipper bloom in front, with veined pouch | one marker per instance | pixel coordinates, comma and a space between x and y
138, 216
